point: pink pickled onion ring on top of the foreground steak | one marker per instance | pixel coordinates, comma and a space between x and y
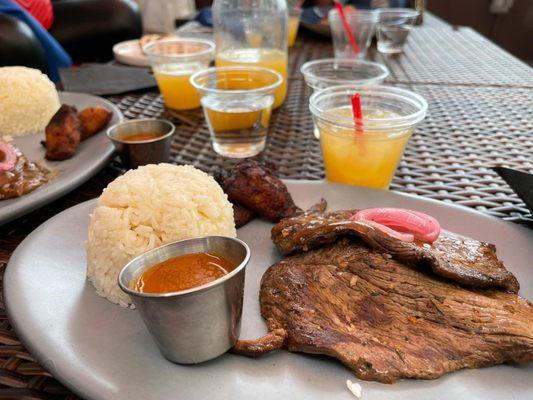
406, 225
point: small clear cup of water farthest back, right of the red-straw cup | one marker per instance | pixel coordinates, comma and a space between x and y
393, 28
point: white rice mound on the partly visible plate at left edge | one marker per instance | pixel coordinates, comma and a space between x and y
28, 100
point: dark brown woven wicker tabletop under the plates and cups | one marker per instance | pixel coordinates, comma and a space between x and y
480, 115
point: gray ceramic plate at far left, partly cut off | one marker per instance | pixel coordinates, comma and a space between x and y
90, 157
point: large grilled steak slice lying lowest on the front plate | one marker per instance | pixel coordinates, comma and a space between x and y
384, 320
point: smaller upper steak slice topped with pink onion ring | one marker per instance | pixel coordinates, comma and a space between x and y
457, 258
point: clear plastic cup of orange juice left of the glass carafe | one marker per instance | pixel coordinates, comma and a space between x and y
173, 62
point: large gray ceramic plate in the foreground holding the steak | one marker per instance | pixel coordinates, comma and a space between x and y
102, 351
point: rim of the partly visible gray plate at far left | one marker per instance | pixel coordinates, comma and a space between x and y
84, 176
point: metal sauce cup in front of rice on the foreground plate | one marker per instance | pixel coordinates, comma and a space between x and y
198, 324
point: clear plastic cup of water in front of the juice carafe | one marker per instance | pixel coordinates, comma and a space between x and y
237, 103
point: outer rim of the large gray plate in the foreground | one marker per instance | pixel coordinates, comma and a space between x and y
86, 391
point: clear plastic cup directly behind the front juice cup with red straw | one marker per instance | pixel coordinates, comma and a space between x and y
321, 74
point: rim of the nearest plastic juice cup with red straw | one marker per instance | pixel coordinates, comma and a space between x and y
376, 124
